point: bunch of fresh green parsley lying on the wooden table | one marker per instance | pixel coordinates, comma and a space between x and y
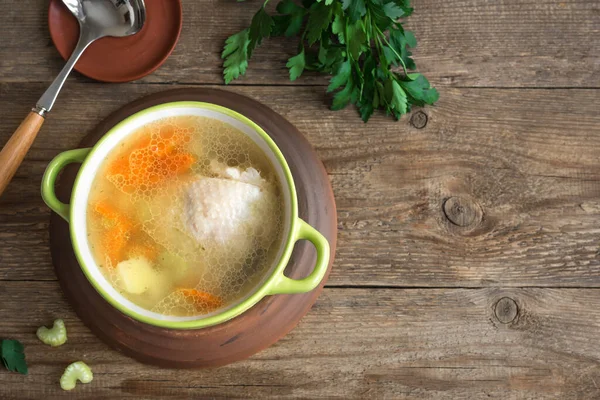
359, 42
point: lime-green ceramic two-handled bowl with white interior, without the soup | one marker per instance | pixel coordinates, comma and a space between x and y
274, 282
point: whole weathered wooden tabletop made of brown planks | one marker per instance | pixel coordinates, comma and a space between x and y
468, 262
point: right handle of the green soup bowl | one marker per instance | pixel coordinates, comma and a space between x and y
285, 285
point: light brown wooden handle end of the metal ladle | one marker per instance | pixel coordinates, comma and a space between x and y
17, 146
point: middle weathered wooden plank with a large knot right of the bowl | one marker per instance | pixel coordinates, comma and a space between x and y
523, 165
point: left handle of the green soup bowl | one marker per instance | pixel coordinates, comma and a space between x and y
49, 179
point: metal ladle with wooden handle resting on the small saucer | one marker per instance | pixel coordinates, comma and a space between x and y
97, 19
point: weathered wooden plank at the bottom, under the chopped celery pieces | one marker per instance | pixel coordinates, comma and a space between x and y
354, 344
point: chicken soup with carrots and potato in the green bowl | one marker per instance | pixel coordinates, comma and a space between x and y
185, 216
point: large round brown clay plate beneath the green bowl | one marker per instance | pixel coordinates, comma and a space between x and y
241, 337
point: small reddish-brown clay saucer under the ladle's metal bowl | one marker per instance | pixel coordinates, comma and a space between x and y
120, 59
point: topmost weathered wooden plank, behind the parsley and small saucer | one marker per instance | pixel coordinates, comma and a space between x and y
512, 43
